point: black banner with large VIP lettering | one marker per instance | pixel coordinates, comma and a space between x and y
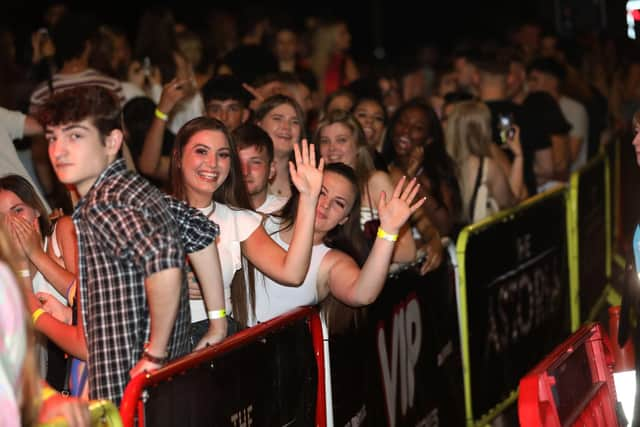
402, 366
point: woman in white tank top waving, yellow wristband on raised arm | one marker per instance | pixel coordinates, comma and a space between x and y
337, 244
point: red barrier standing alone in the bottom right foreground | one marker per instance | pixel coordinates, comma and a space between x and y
572, 386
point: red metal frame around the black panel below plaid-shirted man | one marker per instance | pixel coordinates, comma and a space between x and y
132, 400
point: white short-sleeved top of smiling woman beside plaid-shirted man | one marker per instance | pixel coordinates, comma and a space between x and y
236, 225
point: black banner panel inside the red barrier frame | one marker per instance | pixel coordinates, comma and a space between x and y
268, 382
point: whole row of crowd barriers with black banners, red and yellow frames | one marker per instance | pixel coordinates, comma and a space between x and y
528, 277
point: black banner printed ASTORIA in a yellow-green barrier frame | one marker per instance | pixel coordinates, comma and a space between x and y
517, 297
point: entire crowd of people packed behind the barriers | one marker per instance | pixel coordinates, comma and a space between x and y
174, 189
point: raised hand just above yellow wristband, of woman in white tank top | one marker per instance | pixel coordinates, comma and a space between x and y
395, 212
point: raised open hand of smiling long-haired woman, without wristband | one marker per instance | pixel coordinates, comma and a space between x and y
305, 175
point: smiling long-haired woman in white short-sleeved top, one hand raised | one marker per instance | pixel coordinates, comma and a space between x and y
206, 172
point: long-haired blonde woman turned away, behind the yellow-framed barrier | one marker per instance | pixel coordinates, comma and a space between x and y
469, 142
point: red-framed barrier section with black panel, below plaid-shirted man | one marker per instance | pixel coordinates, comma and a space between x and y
271, 374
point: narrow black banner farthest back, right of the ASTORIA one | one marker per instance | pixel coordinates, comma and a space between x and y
591, 236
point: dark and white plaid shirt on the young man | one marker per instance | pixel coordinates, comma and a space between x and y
128, 230
